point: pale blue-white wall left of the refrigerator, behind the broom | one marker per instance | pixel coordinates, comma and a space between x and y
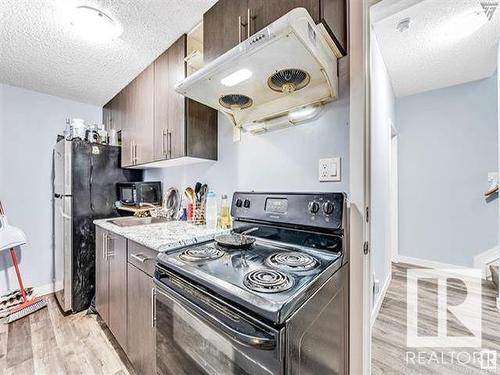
29, 123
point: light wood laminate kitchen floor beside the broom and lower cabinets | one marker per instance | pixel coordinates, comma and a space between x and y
47, 342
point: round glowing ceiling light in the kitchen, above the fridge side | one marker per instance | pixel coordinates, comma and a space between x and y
94, 24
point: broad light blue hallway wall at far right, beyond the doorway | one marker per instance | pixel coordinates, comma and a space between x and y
448, 143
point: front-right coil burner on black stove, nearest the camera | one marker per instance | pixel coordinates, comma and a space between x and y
267, 281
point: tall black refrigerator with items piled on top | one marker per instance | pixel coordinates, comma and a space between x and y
84, 182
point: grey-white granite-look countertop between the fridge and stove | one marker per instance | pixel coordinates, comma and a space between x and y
163, 236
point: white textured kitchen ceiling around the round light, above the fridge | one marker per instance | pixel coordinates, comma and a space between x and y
40, 51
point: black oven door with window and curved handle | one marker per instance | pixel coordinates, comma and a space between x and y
191, 340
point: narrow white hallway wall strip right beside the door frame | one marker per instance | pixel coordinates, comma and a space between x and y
382, 116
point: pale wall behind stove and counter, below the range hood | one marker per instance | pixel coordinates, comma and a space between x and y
282, 160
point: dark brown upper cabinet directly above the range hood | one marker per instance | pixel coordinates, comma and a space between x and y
229, 22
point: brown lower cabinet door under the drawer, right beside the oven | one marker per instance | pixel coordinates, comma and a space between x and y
140, 331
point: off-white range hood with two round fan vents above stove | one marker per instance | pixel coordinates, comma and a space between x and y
288, 65
